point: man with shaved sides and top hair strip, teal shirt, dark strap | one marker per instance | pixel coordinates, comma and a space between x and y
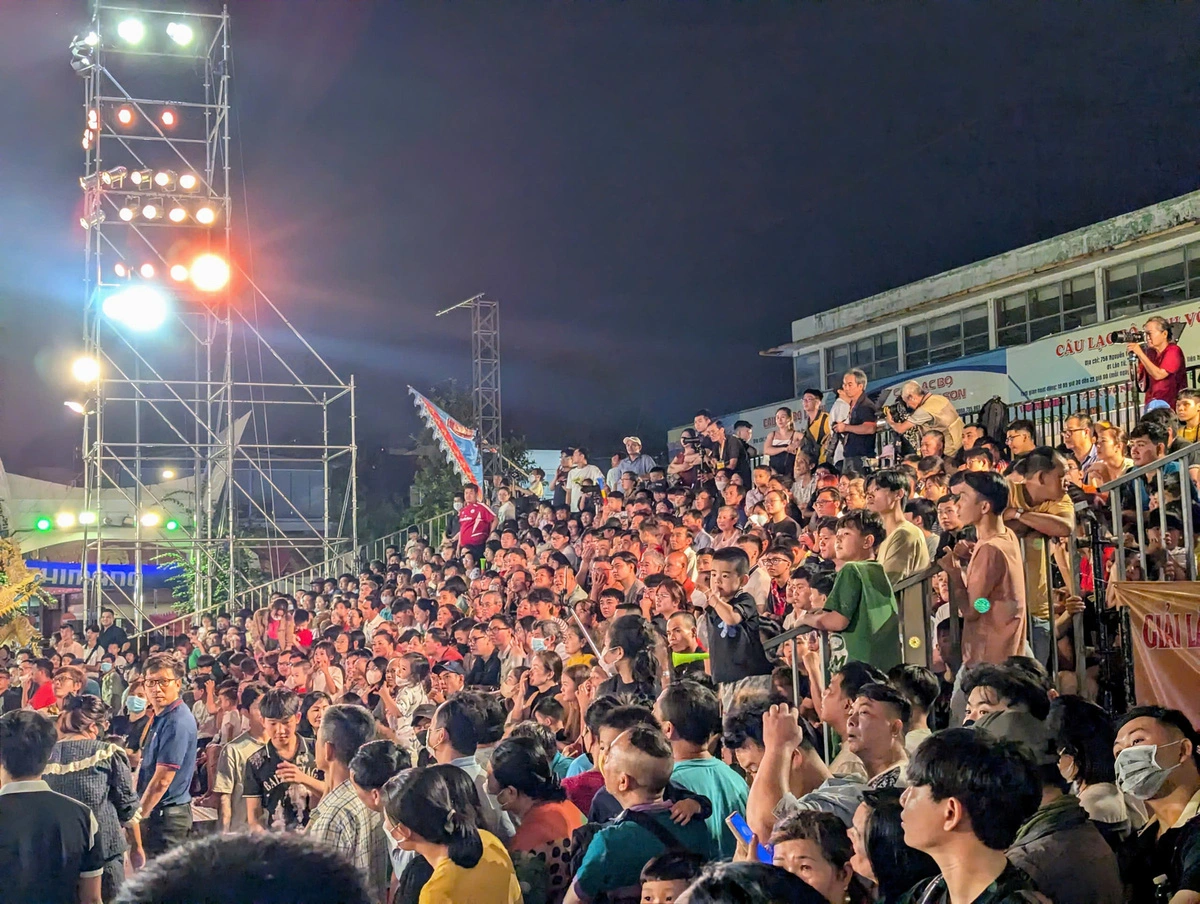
637, 770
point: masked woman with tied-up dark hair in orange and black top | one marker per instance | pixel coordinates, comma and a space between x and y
521, 780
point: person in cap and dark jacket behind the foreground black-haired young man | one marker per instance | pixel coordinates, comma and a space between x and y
1059, 847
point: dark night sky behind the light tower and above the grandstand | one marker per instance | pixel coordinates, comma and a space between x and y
655, 191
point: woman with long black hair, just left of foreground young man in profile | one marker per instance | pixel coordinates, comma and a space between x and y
881, 855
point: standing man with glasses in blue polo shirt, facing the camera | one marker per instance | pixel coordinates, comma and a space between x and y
169, 763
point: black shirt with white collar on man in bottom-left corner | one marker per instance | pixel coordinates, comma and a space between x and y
47, 842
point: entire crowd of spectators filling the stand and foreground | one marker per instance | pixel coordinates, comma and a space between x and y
586, 699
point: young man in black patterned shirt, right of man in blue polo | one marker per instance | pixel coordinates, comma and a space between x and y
281, 782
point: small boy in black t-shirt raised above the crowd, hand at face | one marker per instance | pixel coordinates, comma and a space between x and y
736, 652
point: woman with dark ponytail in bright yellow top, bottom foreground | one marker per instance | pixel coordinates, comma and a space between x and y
430, 811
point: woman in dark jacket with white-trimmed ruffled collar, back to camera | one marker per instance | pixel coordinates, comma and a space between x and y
95, 773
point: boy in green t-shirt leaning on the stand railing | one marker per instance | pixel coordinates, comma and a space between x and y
862, 607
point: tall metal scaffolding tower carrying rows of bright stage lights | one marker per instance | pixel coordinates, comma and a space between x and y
214, 435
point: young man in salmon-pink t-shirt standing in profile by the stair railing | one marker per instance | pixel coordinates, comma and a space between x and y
991, 597
